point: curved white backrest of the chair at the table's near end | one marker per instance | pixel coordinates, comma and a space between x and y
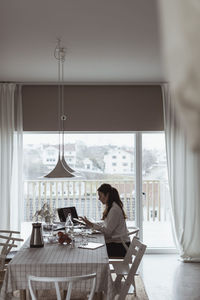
57, 280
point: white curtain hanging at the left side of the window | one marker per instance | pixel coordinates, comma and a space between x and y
11, 149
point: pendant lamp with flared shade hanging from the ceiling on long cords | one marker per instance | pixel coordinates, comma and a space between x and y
61, 169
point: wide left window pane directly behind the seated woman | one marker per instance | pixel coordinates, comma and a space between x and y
98, 157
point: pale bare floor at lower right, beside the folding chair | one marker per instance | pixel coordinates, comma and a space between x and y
167, 278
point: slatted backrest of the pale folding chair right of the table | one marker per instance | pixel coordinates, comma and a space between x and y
135, 249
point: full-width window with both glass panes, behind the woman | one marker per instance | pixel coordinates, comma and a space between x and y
92, 157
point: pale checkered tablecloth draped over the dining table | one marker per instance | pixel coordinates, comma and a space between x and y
57, 260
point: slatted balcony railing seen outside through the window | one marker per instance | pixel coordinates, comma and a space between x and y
83, 195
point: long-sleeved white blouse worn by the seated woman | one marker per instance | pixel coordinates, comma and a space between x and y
114, 224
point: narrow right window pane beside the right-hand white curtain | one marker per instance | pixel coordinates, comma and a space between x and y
156, 201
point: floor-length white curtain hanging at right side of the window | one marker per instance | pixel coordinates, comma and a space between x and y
184, 182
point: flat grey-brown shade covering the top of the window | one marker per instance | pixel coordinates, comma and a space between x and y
94, 108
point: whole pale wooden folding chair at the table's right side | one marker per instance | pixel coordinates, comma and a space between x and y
126, 269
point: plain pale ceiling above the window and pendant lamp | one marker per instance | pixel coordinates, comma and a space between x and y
106, 40
